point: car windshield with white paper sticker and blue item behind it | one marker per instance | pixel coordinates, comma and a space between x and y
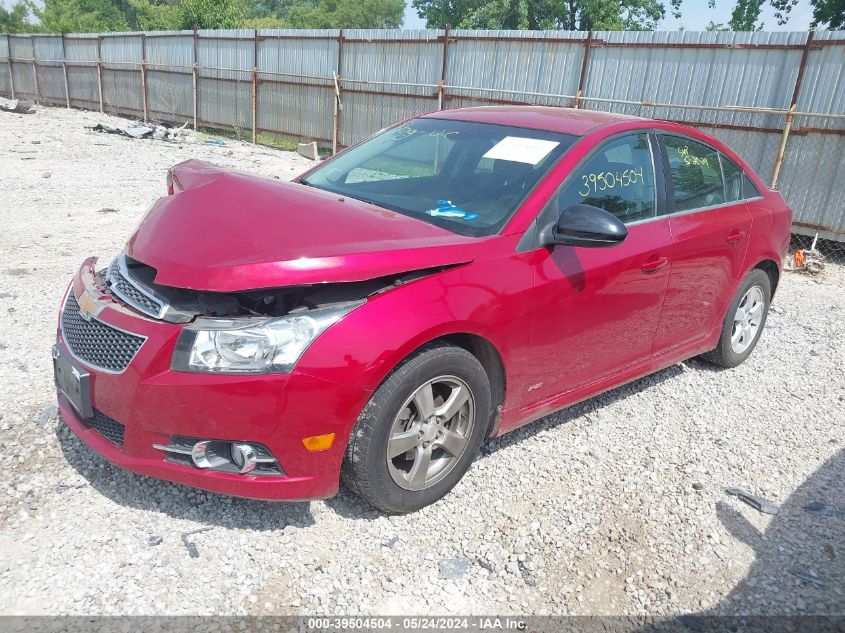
466, 177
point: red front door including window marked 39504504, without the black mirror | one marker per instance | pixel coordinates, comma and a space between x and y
596, 309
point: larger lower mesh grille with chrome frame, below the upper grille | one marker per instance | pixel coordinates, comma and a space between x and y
96, 343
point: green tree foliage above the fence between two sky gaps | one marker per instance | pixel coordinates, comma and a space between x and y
581, 15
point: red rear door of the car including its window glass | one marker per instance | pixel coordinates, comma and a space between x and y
710, 225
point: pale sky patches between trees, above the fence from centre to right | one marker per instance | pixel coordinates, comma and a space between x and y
696, 16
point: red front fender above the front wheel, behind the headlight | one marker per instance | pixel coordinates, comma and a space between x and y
481, 298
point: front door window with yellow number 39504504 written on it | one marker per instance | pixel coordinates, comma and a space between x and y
618, 177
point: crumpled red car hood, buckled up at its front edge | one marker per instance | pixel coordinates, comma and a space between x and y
227, 231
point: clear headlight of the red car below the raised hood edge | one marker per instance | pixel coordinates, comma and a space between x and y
251, 345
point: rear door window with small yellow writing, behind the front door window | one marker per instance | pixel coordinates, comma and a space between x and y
696, 173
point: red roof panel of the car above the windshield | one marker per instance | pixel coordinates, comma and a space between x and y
552, 119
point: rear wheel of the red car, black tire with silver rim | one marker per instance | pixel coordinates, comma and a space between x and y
730, 352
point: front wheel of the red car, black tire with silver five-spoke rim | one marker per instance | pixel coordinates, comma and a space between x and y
401, 415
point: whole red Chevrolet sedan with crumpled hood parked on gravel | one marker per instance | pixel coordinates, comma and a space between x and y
445, 281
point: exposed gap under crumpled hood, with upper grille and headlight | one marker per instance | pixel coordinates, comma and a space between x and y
251, 331
